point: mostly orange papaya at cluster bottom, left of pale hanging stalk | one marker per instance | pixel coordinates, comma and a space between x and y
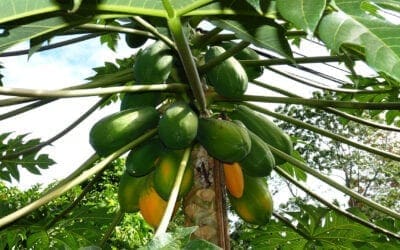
151, 206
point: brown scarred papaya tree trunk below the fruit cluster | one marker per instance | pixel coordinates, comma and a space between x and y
205, 204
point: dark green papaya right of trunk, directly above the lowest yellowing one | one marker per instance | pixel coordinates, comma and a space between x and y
260, 160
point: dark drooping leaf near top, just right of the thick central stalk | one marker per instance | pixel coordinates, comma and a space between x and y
261, 32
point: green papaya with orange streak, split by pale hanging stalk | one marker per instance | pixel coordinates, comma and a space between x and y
166, 171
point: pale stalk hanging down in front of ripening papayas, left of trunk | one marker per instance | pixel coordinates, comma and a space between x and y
174, 195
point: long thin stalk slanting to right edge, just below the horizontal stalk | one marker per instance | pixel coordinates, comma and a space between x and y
325, 133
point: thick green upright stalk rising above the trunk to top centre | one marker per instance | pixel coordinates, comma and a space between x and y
189, 65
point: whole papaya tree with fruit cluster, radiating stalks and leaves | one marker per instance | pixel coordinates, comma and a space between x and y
194, 138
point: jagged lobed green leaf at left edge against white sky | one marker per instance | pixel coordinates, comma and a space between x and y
33, 162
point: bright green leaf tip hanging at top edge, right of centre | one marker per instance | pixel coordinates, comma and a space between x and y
304, 14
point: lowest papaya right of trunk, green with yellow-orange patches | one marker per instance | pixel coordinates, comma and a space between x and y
255, 206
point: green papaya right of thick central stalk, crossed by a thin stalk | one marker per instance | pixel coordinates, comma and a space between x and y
228, 78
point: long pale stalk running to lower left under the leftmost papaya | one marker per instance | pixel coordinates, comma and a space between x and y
64, 186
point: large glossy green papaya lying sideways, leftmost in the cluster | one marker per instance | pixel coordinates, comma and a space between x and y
116, 130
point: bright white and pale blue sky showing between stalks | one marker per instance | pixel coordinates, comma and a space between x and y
71, 65
